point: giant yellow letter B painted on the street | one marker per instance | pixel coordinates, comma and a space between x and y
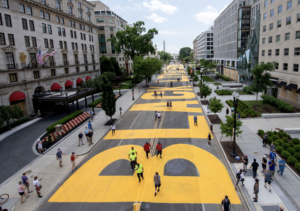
214, 182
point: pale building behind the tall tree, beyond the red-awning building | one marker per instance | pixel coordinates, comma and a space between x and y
109, 23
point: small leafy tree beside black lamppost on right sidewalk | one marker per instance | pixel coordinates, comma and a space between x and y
227, 128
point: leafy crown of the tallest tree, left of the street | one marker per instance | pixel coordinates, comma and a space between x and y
134, 41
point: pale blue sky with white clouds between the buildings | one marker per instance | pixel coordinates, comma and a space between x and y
178, 22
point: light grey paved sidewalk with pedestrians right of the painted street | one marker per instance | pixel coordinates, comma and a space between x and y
286, 188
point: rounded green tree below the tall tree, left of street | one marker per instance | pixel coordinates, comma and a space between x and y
145, 68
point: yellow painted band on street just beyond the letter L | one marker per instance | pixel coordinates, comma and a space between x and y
177, 106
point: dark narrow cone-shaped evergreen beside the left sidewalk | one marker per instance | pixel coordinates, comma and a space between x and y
108, 97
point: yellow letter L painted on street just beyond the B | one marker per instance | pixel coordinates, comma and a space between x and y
200, 131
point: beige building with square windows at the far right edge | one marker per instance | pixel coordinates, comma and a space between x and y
280, 43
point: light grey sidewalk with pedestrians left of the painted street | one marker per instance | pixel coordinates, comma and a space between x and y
46, 166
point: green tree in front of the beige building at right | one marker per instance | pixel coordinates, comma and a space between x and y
261, 77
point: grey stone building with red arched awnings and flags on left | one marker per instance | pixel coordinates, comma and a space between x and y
67, 26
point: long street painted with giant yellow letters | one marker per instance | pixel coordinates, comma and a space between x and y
193, 175
